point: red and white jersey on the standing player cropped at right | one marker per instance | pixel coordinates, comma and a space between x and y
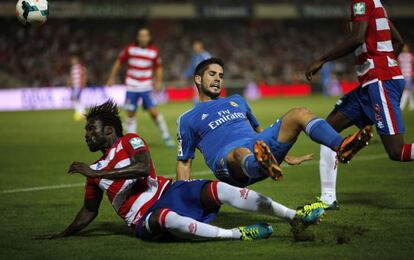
375, 59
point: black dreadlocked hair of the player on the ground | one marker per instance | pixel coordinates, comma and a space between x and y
108, 113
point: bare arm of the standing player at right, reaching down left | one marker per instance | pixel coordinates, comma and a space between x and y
350, 44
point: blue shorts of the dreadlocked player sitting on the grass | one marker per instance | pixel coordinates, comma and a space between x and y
182, 197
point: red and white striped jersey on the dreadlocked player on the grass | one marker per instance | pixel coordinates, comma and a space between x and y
130, 198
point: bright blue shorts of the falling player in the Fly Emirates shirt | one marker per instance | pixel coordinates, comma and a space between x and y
269, 136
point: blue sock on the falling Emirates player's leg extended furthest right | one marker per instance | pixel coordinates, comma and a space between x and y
321, 132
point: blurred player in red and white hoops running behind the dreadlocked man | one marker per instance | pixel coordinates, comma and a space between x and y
144, 74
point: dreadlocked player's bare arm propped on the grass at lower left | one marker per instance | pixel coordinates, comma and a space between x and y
86, 215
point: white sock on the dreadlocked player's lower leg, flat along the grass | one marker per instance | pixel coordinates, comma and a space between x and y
185, 227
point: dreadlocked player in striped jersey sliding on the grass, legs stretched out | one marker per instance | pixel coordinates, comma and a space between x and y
154, 206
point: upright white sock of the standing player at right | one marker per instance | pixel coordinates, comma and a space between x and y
328, 169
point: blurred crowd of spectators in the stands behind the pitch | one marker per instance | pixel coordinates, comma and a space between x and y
273, 51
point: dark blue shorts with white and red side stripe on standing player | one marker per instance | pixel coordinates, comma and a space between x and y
377, 103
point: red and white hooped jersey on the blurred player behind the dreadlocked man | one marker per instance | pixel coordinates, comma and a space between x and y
141, 65
